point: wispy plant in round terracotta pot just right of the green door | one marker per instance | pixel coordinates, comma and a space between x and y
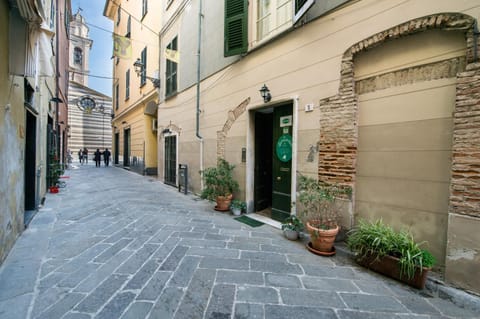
319, 207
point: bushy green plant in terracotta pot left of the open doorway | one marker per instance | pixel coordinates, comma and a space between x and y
219, 184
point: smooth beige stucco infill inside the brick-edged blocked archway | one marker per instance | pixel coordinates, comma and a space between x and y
406, 92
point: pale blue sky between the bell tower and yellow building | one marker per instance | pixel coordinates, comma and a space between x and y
101, 52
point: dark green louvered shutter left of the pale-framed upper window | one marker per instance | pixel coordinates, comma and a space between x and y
236, 27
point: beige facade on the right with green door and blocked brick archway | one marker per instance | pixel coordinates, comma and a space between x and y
378, 95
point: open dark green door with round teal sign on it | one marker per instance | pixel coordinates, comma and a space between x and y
282, 162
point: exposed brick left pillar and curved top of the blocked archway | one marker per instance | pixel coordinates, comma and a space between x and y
338, 114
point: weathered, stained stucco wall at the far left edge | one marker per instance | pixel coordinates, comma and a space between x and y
12, 141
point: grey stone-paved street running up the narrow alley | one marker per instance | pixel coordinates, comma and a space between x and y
113, 244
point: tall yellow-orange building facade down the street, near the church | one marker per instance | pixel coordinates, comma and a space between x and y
135, 97
